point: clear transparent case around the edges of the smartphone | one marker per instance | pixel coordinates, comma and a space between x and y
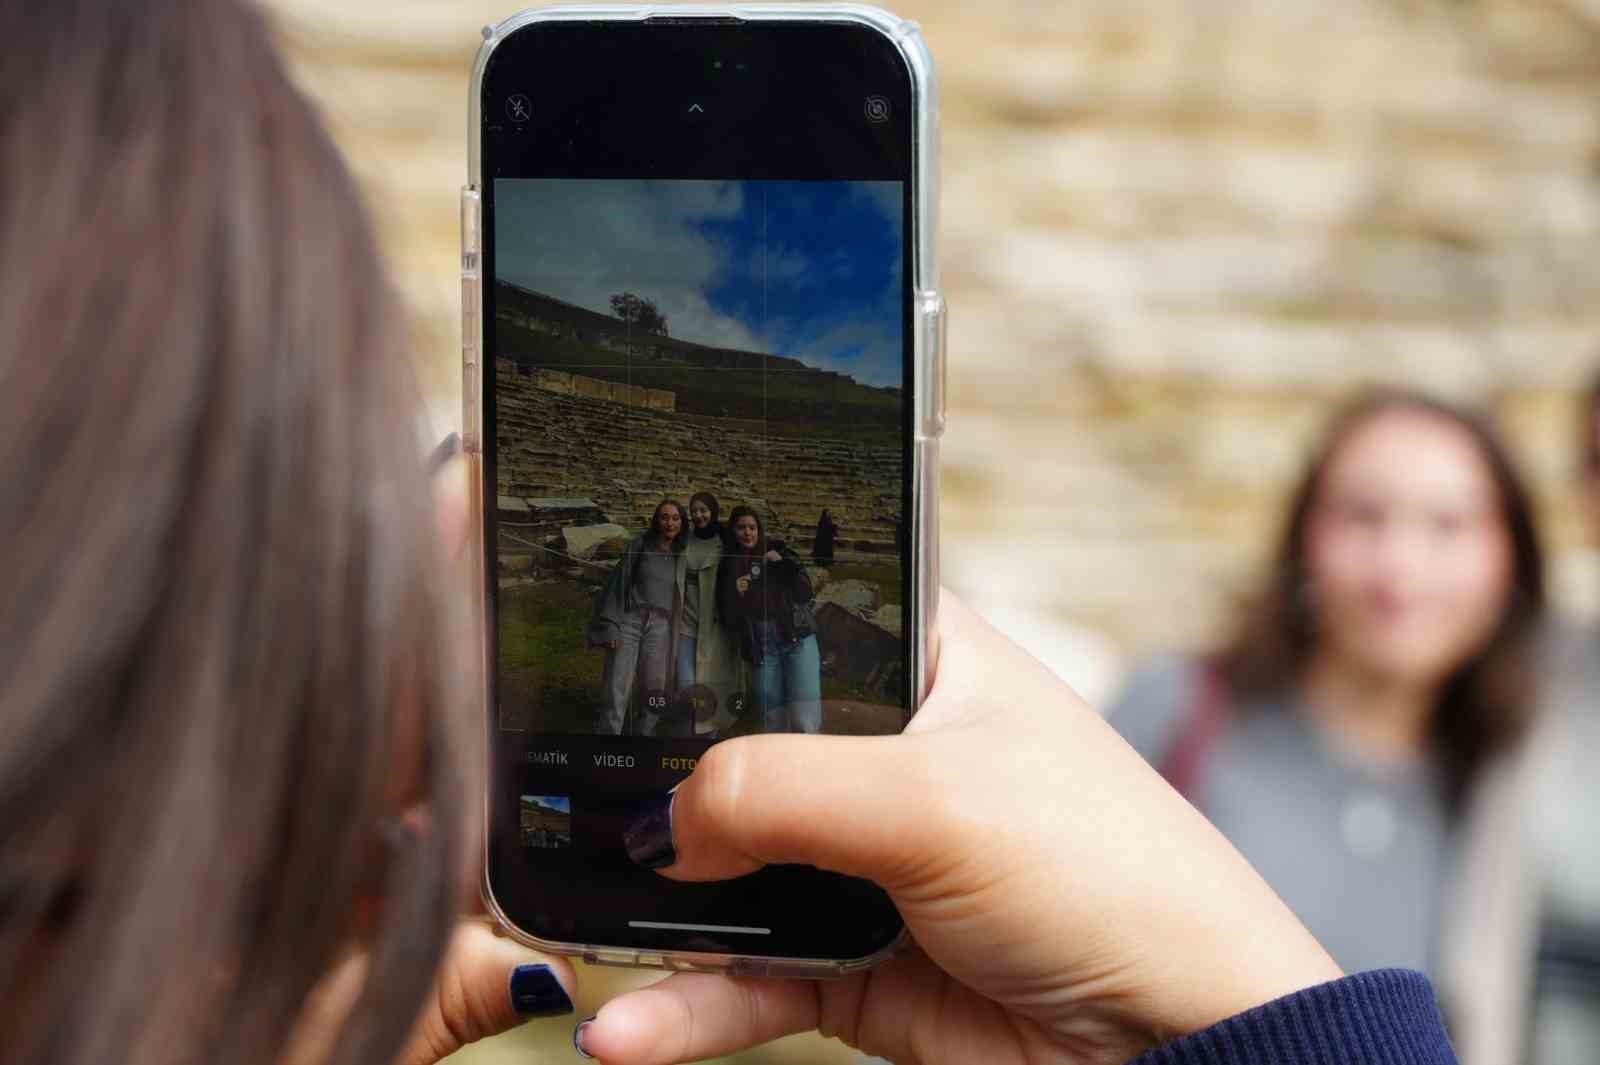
929, 399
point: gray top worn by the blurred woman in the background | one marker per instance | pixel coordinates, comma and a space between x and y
1356, 848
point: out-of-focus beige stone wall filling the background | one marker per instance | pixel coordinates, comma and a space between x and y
1175, 231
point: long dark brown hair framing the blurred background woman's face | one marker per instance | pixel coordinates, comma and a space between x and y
1486, 706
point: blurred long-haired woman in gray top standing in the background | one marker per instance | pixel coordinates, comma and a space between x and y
1337, 740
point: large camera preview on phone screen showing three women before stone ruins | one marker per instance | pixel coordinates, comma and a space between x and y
700, 457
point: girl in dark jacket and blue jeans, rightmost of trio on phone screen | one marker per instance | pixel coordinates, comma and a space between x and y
766, 596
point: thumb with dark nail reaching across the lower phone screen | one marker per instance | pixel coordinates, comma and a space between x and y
863, 807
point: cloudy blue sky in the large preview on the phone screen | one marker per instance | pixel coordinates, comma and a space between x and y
807, 269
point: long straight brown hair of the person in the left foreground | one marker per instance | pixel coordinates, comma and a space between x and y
225, 642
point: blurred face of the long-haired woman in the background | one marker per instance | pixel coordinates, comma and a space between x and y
1410, 559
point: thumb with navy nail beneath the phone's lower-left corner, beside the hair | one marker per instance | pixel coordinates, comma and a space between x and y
487, 986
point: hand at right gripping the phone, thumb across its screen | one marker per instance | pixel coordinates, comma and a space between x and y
1065, 901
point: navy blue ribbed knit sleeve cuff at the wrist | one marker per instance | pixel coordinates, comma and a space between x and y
1385, 1018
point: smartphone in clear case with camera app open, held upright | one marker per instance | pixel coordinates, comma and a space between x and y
705, 393
